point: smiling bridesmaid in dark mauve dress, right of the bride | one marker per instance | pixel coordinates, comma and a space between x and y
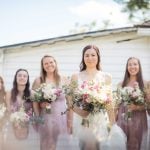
136, 127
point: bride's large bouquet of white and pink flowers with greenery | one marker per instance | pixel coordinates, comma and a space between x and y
90, 96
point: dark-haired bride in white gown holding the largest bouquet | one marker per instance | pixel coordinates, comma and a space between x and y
91, 128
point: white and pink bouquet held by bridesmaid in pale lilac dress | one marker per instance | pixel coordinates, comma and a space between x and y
46, 93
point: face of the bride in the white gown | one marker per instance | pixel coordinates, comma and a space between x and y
90, 58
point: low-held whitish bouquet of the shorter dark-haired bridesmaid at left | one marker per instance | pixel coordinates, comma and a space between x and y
20, 118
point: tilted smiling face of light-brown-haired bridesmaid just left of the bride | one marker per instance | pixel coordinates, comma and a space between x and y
49, 64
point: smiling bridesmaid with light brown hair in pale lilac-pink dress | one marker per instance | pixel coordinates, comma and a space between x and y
55, 124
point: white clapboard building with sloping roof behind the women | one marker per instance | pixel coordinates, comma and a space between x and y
116, 46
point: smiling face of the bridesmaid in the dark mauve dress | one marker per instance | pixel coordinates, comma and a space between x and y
133, 67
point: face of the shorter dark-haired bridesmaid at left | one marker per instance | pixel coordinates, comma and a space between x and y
22, 77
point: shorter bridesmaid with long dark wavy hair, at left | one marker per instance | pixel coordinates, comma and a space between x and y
19, 135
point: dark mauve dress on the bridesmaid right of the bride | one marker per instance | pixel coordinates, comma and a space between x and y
135, 128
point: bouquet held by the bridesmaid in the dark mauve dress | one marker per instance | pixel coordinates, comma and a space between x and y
132, 95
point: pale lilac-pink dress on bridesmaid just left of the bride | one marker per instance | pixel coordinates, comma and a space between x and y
55, 124
